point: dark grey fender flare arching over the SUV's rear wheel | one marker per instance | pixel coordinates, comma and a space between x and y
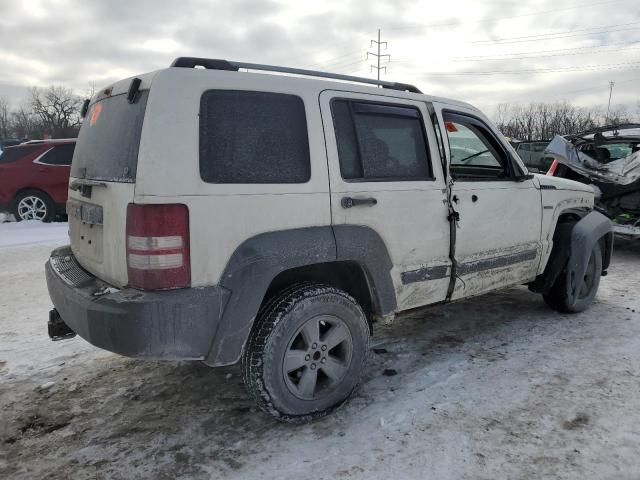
259, 259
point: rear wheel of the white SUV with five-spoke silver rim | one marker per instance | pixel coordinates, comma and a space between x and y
306, 352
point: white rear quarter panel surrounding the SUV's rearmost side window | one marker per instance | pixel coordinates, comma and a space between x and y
222, 216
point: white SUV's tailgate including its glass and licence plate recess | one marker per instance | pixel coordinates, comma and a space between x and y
102, 183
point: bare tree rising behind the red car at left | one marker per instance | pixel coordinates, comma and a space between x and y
57, 108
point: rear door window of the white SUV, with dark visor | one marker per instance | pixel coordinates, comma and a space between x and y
380, 142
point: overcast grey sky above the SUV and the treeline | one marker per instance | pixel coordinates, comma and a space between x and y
547, 50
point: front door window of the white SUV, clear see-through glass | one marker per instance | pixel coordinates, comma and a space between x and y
475, 152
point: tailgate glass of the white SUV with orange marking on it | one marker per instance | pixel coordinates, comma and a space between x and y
109, 140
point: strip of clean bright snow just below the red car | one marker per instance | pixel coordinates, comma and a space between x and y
33, 232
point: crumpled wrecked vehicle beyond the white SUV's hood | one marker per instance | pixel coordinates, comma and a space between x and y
608, 158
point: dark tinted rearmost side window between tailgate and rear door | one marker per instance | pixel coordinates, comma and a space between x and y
253, 137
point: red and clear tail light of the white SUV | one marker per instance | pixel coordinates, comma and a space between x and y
158, 246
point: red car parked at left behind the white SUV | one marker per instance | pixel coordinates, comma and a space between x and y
34, 178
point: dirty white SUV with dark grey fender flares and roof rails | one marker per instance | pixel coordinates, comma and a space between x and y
224, 215
